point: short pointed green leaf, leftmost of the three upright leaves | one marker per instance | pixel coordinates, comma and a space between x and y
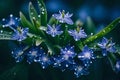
26, 23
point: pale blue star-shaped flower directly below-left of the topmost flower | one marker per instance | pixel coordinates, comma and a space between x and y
54, 30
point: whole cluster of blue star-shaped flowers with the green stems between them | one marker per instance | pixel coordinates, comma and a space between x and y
68, 57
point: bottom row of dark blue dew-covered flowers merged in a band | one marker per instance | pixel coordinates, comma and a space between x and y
65, 60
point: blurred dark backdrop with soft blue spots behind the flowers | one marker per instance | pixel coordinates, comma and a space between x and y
98, 12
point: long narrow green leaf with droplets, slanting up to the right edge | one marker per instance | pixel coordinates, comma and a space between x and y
103, 32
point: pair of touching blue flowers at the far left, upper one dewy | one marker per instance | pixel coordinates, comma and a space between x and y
12, 22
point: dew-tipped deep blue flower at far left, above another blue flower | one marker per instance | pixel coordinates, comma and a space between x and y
12, 22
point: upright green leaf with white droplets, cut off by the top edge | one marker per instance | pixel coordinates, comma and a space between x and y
43, 12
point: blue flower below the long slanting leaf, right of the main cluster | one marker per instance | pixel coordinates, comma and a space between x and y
107, 45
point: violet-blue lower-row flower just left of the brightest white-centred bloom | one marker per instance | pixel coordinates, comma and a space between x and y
67, 52
